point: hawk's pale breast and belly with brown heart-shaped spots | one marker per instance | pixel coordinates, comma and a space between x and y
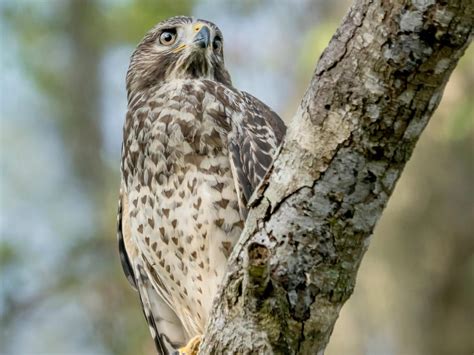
184, 210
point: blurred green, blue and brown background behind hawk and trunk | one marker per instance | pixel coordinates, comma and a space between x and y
63, 102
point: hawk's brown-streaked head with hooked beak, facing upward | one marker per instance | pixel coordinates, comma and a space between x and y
178, 48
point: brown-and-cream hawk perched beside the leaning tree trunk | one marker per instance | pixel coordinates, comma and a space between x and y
194, 149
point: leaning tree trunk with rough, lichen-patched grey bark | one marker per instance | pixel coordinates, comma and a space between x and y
372, 93
